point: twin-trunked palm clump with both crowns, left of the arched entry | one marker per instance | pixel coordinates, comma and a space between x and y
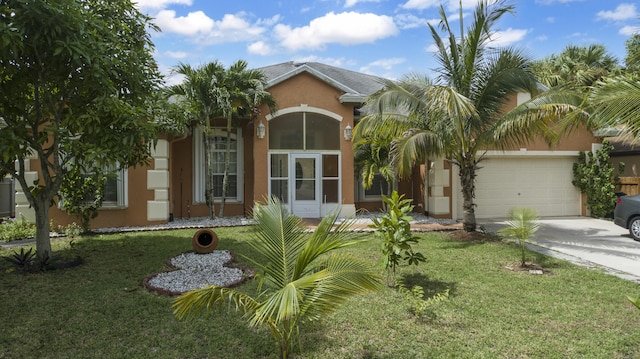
211, 91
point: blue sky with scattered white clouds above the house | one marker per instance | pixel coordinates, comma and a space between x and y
380, 37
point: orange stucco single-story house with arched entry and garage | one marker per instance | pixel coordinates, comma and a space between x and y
303, 153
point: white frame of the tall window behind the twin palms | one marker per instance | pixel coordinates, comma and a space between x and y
199, 168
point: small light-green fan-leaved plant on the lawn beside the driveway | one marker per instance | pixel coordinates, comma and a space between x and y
521, 225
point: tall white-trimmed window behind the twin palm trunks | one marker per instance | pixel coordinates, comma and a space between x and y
218, 138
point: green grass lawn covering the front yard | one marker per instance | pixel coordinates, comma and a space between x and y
100, 309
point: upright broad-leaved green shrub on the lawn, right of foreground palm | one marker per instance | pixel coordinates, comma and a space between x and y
394, 228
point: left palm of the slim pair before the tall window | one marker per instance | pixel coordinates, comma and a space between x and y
199, 91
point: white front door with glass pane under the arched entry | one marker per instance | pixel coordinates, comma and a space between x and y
305, 196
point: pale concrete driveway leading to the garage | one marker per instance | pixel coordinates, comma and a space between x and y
585, 241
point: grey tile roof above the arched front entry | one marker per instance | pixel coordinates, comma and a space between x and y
355, 85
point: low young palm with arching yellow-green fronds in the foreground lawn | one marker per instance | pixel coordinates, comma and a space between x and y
301, 280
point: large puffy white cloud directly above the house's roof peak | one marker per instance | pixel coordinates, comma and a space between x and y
345, 28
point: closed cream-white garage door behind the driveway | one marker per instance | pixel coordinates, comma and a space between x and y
543, 184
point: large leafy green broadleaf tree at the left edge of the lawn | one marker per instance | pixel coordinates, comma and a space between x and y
75, 79
